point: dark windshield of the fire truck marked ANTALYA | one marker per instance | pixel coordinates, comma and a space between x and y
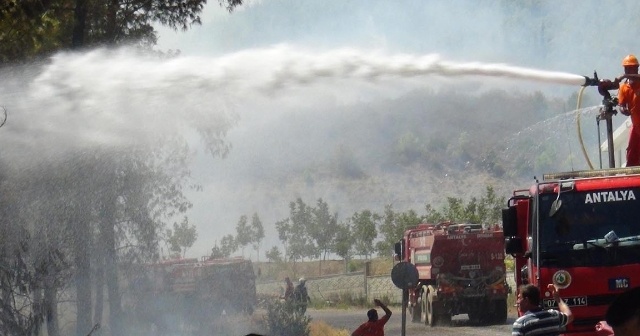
591, 228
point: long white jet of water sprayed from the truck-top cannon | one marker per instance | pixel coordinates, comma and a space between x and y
106, 96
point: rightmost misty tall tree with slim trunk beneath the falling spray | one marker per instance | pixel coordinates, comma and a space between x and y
140, 188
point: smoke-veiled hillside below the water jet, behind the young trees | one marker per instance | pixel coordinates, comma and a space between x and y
408, 151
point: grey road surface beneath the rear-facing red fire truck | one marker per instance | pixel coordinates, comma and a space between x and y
350, 319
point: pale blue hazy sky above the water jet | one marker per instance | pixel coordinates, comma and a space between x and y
551, 35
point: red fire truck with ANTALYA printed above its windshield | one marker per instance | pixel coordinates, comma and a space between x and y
579, 231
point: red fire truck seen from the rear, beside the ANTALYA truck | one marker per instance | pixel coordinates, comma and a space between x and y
461, 271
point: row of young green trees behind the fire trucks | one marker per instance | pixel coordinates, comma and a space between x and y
313, 232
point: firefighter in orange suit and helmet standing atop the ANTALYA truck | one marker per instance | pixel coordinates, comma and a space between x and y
628, 103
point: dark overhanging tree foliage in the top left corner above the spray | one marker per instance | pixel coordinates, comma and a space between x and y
30, 29
